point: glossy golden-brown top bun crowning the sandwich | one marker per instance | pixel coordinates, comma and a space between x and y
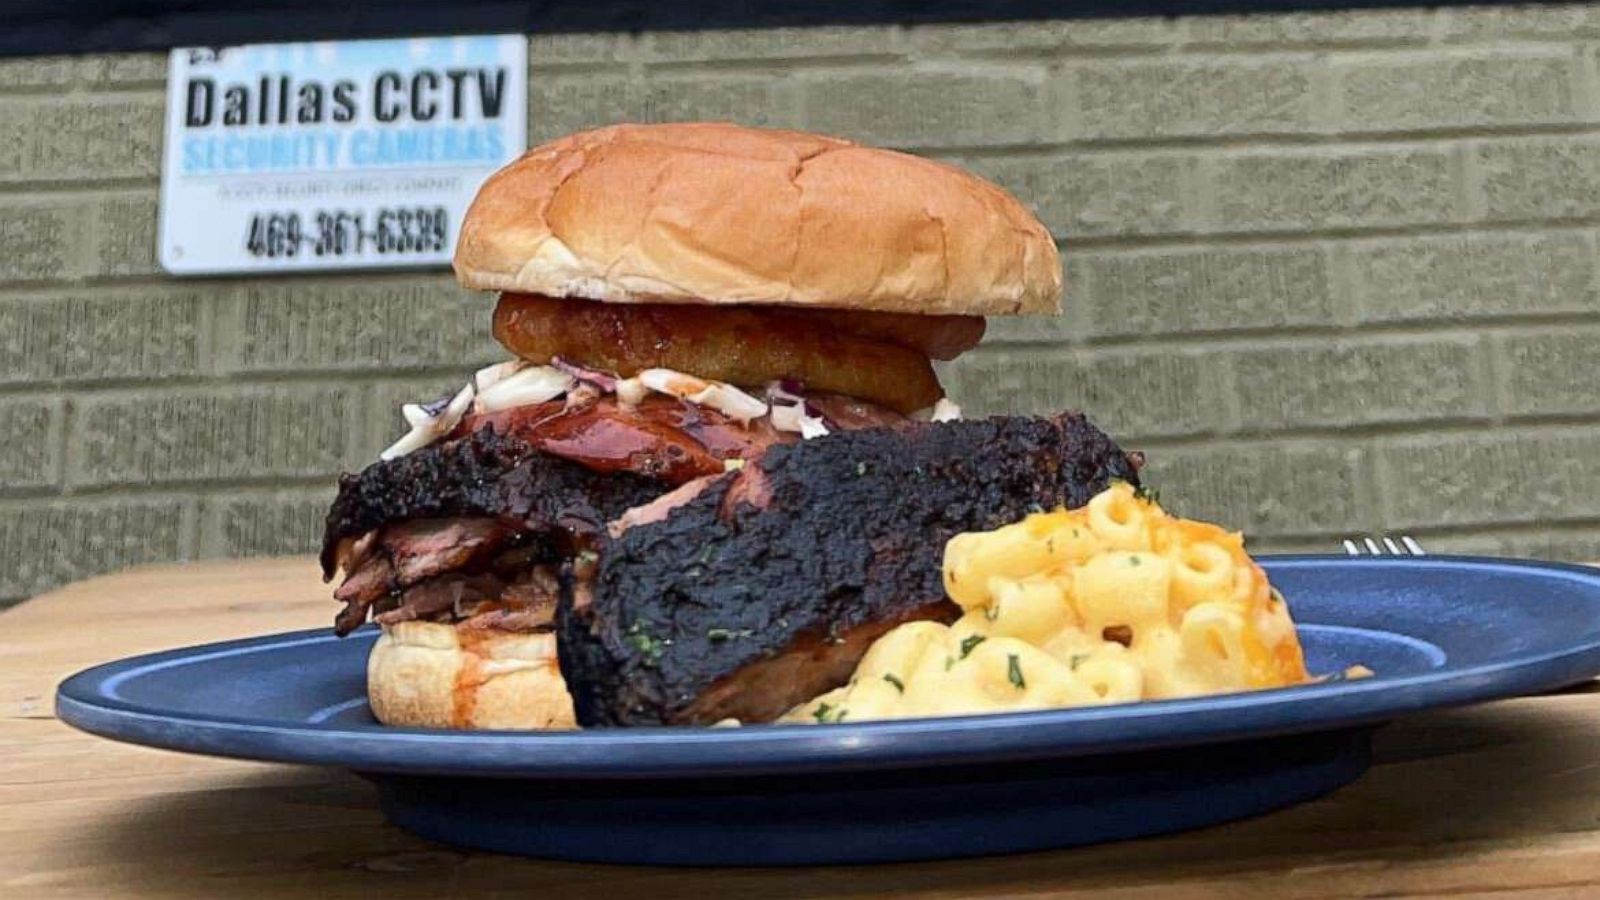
722, 214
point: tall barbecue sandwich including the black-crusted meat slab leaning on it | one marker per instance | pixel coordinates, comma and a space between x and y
721, 460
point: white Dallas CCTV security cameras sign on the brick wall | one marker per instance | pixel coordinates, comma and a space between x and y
334, 156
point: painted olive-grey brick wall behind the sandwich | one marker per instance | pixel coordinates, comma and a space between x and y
1335, 273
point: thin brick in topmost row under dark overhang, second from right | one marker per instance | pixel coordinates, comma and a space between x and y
1345, 28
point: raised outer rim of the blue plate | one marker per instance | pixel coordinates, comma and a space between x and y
668, 752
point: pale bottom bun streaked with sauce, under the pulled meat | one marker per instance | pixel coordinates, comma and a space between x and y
423, 675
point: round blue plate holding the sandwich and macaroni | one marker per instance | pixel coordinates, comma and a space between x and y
1439, 632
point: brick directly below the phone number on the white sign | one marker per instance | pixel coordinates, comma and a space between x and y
359, 326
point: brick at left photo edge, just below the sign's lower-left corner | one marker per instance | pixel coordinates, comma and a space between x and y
129, 334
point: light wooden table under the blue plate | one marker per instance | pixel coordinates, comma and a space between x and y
1497, 802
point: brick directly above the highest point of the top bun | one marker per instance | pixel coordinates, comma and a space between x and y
750, 100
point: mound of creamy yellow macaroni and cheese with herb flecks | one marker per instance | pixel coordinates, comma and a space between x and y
1106, 605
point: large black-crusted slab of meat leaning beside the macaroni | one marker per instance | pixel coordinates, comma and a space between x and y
769, 587
